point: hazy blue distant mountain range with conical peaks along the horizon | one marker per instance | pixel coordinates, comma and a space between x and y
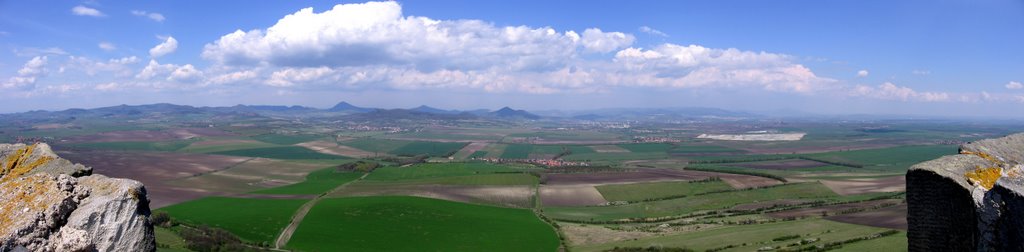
423, 112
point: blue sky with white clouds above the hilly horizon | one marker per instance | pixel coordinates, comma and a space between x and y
942, 59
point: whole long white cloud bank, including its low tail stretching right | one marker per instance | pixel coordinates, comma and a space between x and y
374, 45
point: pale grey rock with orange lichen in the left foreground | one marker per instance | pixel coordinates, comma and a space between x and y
51, 204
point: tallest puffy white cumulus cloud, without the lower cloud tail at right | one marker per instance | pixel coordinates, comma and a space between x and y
377, 33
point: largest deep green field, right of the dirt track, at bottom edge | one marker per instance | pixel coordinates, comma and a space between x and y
410, 224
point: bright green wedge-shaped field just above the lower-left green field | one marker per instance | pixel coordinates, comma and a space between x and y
317, 183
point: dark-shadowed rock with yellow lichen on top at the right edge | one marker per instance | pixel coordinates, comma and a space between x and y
971, 201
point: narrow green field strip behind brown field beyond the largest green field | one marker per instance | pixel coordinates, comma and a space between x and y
431, 171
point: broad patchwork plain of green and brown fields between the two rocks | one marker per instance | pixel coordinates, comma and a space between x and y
839, 185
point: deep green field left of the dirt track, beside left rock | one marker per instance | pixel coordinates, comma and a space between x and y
258, 221
